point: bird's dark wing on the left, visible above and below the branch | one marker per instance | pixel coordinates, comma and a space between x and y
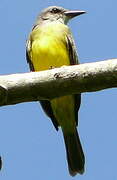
44, 103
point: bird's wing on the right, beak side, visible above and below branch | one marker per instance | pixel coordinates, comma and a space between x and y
73, 60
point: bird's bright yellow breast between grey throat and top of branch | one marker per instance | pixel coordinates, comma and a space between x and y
49, 47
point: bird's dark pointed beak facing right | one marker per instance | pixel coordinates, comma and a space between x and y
72, 14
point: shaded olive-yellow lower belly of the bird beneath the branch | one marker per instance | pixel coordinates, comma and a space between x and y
64, 110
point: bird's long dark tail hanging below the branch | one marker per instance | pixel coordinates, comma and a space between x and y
75, 155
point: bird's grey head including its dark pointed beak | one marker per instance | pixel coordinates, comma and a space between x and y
56, 13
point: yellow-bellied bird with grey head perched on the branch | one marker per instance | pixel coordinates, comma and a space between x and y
49, 45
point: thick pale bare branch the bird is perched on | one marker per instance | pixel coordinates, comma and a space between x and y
34, 86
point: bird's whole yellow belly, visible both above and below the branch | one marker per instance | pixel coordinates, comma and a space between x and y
51, 51
